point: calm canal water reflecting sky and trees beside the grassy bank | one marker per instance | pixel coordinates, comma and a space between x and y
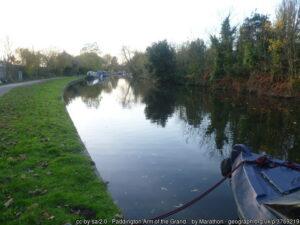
158, 147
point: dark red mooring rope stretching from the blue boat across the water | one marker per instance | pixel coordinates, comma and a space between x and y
202, 195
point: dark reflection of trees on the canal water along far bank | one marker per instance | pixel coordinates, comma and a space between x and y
267, 124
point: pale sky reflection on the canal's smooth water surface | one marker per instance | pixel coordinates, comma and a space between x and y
150, 169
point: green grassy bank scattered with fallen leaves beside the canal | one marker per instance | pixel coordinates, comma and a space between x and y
45, 176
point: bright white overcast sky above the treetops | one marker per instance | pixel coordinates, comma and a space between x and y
70, 24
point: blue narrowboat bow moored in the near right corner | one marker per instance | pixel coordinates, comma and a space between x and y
264, 188
